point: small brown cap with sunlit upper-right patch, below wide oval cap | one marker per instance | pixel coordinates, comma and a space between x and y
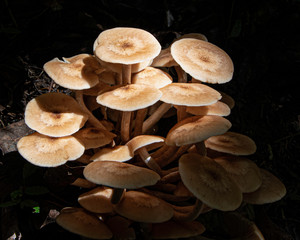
97, 200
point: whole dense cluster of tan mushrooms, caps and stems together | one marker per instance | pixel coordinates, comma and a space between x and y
132, 173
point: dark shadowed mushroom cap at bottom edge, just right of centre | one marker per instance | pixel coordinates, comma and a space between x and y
174, 229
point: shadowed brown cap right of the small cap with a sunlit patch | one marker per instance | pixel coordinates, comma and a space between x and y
143, 207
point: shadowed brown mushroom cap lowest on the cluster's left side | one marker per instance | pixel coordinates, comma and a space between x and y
77, 220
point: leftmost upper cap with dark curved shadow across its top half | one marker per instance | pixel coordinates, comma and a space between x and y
54, 114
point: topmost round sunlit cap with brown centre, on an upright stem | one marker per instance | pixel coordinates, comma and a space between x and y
126, 45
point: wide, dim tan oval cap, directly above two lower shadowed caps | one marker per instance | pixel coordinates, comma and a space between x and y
119, 174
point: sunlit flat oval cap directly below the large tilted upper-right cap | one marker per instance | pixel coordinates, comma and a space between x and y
189, 94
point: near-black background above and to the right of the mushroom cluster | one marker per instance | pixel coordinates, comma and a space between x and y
262, 38
